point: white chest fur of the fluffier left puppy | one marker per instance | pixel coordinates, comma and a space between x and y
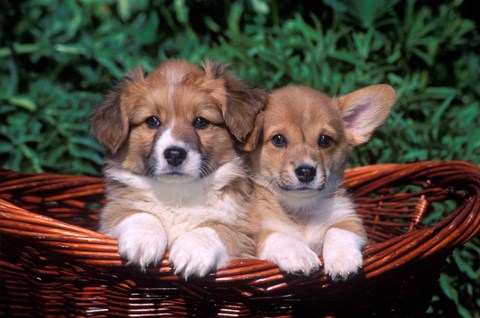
182, 207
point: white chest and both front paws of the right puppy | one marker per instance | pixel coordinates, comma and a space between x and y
298, 239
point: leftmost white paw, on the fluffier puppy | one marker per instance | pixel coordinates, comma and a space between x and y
141, 239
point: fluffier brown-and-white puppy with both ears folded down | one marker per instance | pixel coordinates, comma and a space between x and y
174, 174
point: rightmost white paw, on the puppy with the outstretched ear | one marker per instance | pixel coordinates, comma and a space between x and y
342, 253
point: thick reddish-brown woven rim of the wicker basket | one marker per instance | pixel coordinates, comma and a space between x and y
92, 248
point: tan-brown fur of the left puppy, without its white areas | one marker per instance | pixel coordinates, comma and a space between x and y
177, 92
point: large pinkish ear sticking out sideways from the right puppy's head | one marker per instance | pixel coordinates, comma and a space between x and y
364, 110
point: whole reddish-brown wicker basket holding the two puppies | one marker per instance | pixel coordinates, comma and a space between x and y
53, 263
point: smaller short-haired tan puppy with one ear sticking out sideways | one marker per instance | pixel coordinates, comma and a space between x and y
299, 166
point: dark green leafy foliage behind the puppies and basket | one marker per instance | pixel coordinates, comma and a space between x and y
58, 59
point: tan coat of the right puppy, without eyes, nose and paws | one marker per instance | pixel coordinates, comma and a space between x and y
302, 115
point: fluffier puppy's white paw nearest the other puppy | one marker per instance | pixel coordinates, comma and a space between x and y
198, 252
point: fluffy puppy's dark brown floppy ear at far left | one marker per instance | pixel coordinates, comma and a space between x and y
109, 121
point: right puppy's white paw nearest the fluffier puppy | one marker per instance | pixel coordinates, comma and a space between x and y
291, 254
